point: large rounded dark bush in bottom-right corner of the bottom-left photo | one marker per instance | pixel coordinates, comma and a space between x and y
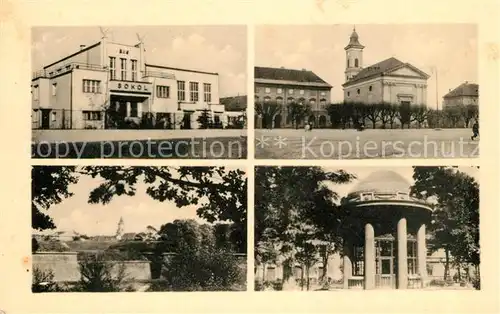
205, 268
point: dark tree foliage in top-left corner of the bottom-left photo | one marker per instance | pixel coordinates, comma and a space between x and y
49, 186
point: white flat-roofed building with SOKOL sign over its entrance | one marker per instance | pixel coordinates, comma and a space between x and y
108, 82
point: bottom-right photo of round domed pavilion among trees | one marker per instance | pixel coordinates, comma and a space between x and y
328, 228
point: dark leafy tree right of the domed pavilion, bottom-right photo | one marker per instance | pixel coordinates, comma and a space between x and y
456, 215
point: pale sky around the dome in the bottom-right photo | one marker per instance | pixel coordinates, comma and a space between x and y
362, 172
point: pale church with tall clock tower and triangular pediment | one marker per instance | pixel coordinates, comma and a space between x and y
391, 80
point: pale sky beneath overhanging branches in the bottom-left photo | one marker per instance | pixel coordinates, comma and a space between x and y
138, 212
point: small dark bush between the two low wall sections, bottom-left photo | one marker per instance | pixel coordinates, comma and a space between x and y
97, 275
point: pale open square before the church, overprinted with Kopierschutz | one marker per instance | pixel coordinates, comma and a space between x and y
351, 144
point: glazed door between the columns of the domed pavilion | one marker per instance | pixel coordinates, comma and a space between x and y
385, 267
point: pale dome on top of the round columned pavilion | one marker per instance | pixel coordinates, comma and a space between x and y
384, 181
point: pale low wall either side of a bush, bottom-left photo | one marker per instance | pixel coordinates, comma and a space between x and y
65, 268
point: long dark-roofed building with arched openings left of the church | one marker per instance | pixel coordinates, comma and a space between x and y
287, 86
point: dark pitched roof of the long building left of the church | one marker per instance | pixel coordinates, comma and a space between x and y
290, 75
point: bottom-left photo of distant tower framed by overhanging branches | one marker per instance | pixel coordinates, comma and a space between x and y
138, 229
